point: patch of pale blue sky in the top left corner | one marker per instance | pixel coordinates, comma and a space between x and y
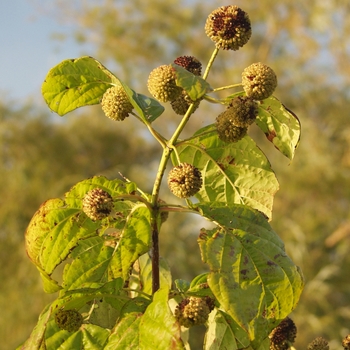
28, 50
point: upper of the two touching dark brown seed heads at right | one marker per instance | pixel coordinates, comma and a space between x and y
243, 111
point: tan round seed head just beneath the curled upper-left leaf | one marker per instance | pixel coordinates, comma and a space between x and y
115, 103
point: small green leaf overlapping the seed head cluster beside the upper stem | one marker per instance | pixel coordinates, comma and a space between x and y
195, 86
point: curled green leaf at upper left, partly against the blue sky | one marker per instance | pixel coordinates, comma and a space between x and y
81, 82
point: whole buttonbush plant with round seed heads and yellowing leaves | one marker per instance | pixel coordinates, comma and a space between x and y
116, 292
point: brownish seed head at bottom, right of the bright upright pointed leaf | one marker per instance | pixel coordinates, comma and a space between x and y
193, 311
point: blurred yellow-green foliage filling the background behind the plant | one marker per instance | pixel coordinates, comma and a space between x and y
308, 46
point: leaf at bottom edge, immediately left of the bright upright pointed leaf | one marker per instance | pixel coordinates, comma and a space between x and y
125, 334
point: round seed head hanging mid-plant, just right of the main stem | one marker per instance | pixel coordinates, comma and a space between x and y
184, 180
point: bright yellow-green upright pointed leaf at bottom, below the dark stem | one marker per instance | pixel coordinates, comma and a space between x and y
158, 327
